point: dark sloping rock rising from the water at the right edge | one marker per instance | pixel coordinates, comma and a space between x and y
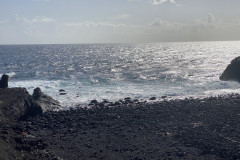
232, 72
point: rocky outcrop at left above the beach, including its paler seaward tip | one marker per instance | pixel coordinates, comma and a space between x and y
17, 103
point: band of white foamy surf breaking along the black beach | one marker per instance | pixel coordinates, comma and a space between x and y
81, 93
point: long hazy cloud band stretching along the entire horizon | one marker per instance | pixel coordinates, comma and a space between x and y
41, 29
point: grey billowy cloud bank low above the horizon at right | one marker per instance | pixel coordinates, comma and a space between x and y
209, 28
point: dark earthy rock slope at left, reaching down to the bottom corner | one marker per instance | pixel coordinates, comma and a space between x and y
17, 105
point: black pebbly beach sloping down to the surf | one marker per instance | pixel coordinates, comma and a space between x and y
180, 129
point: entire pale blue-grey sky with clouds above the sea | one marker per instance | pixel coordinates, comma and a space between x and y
118, 21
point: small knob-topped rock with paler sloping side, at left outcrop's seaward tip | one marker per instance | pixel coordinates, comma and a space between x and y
46, 102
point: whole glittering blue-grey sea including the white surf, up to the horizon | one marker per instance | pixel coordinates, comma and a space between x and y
115, 71
